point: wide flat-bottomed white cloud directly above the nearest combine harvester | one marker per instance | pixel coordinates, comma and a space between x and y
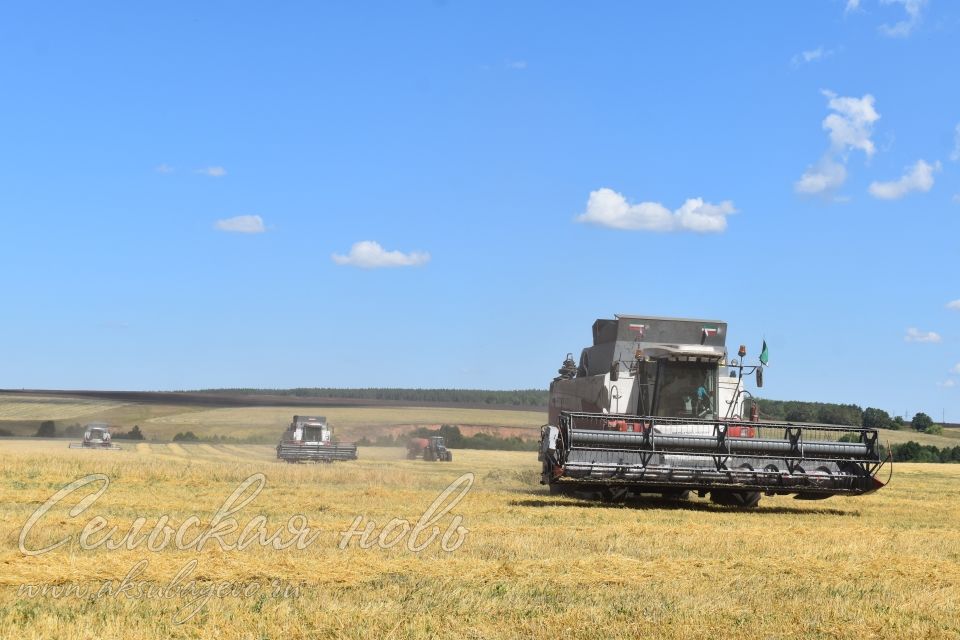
607, 208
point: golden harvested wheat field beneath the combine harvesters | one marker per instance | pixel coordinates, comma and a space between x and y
506, 560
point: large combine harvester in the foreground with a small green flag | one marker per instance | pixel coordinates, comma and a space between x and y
655, 407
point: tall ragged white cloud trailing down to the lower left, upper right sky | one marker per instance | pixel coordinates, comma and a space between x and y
849, 127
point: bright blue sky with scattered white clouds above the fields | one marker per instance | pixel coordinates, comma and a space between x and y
448, 194
